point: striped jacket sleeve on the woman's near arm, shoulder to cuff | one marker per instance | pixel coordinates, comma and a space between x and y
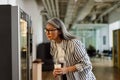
81, 57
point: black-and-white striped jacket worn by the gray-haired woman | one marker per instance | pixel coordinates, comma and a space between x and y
75, 54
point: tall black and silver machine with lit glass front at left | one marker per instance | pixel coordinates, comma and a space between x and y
15, 43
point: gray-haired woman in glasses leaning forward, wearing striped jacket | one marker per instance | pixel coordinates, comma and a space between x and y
66, 49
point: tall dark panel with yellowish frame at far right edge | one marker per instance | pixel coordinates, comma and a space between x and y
116, 48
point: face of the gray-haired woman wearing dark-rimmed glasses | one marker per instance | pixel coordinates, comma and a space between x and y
52, 33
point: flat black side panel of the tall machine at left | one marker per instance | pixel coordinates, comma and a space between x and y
5, 43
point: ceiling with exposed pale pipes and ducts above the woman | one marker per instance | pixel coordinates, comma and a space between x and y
79, 11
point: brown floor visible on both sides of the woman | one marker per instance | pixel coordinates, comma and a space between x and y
102, 68
